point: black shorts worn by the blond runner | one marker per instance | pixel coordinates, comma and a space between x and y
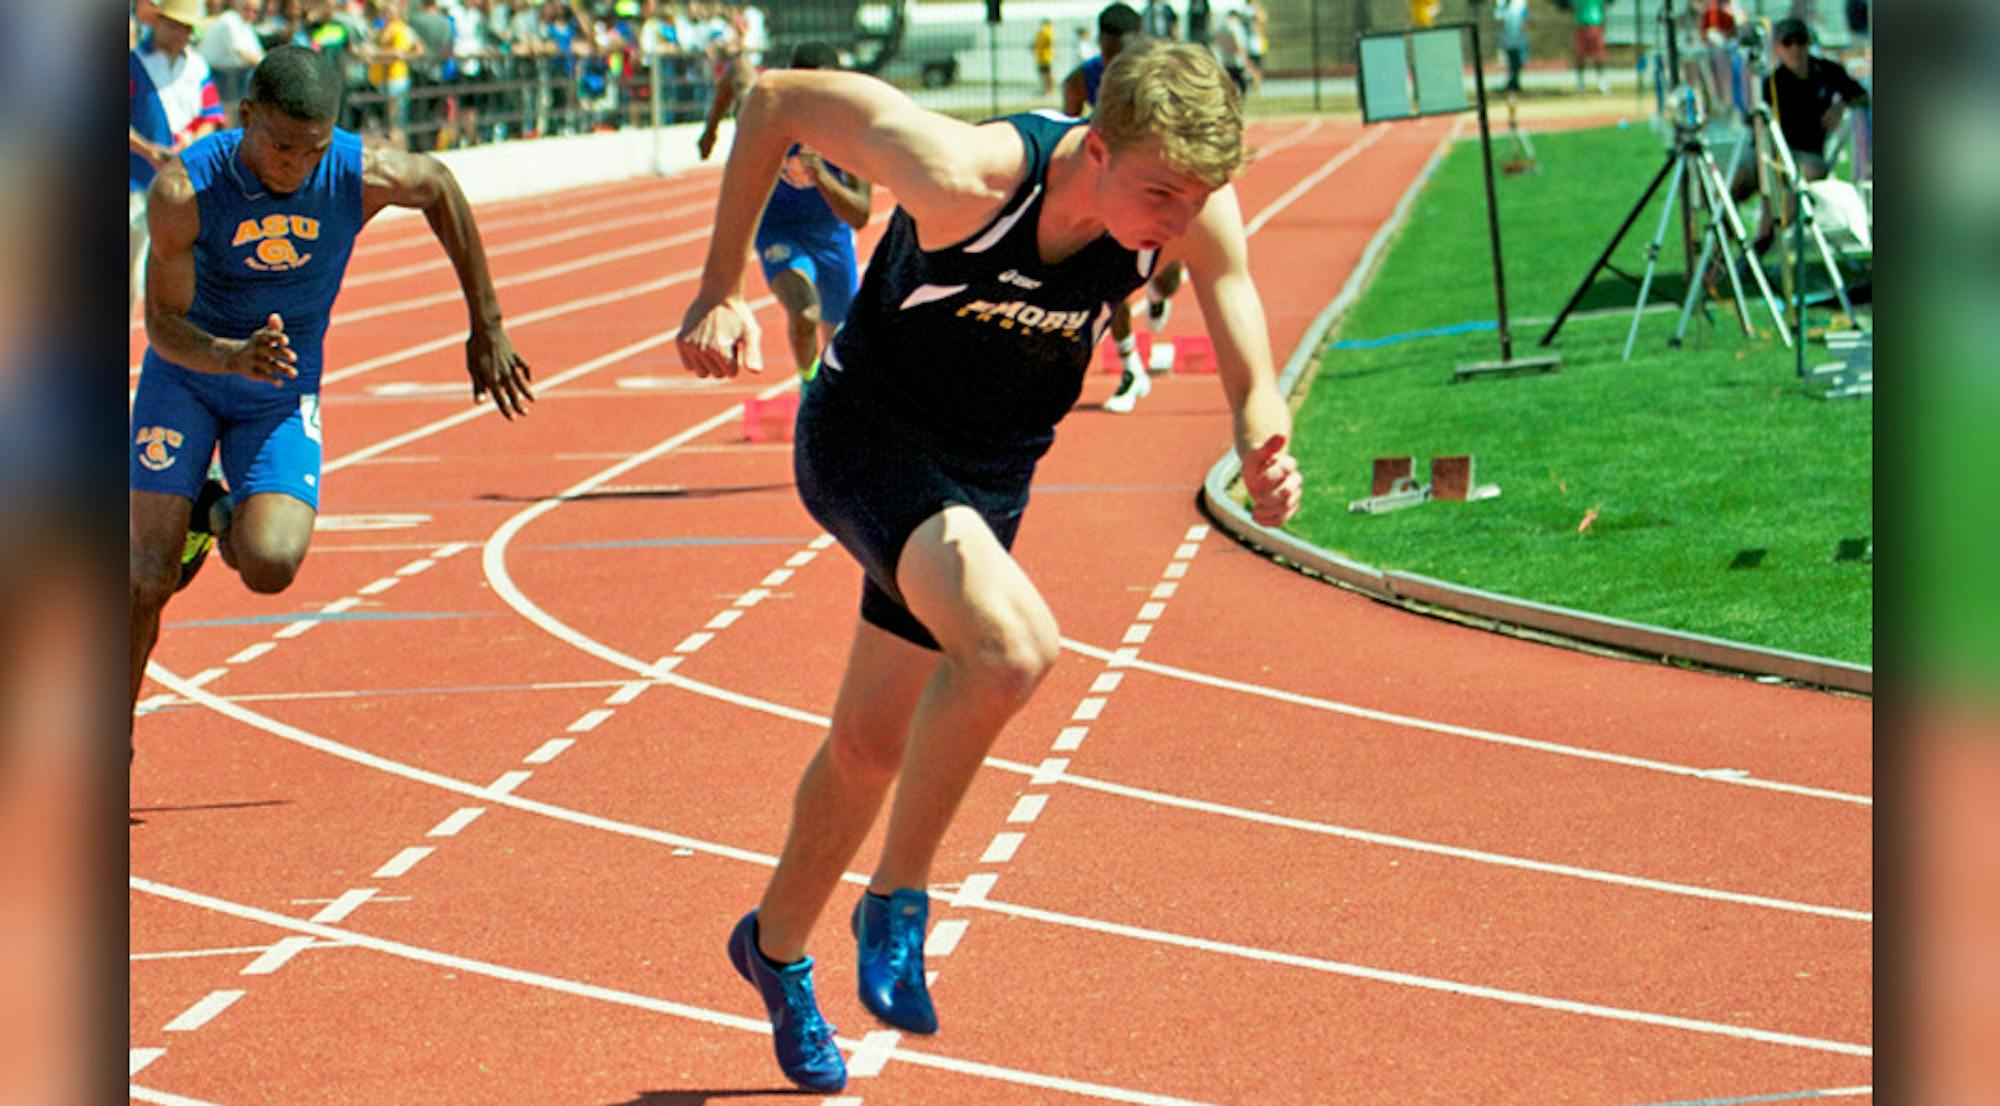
871, 487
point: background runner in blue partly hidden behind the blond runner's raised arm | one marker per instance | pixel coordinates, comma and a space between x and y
807, 235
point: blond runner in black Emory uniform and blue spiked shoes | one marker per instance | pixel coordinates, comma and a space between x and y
917, 441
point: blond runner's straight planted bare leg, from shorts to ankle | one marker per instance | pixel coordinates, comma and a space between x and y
845, 783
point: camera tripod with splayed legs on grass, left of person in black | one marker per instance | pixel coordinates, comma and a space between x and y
1689, 165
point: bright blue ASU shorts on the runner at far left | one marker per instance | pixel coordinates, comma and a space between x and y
269, 443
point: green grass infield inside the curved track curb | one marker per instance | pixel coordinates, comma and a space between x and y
1705, 489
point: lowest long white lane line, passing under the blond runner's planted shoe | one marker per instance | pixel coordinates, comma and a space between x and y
639, 1001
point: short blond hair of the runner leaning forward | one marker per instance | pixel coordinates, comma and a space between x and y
1179, 99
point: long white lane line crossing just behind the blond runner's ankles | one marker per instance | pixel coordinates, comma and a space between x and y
971, 893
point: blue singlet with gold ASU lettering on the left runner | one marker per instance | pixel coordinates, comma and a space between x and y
261, 253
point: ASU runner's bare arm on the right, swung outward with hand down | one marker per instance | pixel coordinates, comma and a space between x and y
419, 181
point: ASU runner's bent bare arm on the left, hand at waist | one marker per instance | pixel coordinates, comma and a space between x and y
175, 221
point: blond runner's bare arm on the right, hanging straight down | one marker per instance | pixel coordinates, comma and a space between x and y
1219, 267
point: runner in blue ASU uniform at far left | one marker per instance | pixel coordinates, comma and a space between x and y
251, 237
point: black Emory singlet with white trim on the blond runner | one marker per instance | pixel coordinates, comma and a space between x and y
981, 349
